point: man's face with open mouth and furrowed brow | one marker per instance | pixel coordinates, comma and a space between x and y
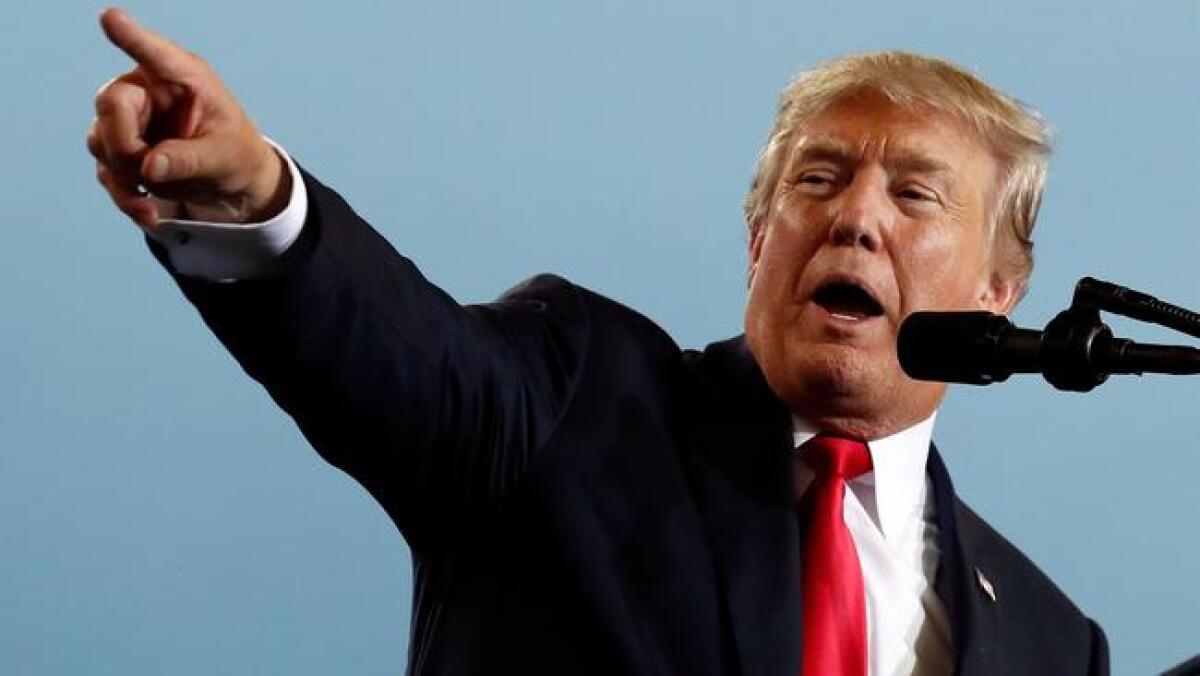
879, 212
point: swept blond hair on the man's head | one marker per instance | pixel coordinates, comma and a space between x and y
1016, 134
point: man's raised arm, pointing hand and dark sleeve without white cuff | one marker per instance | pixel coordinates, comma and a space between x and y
437, 409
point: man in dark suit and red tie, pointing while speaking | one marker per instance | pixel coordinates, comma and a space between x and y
580, 495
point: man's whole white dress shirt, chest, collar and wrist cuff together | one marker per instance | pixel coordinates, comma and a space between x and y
890, 511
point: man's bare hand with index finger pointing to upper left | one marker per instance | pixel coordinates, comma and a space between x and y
171, 141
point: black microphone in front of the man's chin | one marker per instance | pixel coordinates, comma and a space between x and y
1076, 352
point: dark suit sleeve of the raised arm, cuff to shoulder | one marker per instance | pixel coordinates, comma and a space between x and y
436, 409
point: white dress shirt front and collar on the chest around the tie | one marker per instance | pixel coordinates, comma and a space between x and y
891, 516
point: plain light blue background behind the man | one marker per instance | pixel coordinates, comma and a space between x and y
160, 516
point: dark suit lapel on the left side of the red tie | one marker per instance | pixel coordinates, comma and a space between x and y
741, 436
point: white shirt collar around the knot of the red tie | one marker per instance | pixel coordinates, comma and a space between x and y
897, 481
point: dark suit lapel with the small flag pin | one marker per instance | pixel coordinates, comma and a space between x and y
971, 600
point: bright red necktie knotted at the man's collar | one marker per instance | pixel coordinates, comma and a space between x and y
835, 601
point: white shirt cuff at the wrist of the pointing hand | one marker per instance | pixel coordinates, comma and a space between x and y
226, 253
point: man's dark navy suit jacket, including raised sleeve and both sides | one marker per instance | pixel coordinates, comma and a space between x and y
580, 495
